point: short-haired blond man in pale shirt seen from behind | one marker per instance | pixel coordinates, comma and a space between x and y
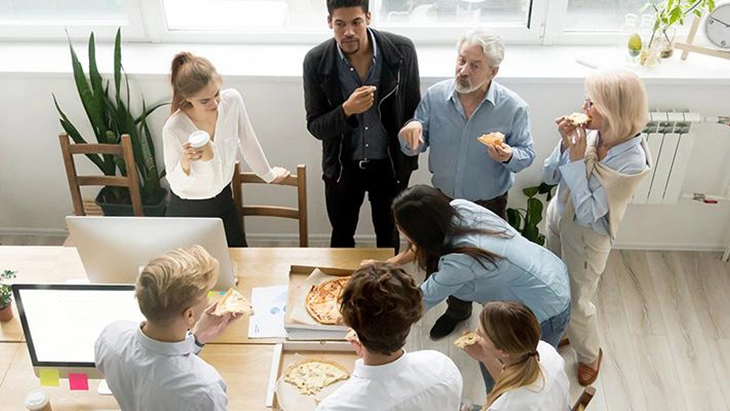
153, 366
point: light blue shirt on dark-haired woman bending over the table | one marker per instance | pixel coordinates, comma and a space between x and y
525, 272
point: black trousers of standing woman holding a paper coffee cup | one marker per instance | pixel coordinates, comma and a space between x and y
221, 206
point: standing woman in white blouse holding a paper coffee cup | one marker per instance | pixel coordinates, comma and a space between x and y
207, 133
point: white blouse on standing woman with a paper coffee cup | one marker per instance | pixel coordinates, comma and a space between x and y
233, 141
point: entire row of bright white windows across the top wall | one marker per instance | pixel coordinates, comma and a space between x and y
304, 21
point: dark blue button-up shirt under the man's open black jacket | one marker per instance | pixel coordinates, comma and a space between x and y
369, 140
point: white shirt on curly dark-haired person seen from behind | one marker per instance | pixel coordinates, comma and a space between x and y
423, 380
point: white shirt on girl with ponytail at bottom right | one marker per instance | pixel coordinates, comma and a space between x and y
553, 396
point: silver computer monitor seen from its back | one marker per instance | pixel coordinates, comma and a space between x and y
114, 249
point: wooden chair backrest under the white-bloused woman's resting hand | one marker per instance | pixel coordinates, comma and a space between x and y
300, 213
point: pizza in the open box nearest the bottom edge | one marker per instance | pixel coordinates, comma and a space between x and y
312, 375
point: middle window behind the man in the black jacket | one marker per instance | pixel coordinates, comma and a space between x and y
305, 20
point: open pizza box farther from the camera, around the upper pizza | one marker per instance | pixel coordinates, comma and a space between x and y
298, 324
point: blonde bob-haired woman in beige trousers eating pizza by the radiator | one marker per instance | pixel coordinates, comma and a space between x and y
598, 167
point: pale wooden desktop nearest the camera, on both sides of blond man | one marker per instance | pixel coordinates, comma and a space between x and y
245, 368
